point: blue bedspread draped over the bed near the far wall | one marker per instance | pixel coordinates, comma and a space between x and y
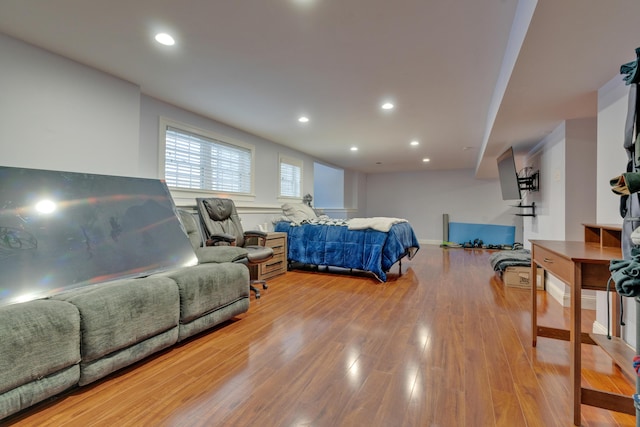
337, 246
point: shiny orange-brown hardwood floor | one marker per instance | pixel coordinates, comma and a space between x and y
444, 344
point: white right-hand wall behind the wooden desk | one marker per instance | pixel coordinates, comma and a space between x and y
567, 169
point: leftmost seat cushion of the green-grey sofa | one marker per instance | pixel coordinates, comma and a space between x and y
38, 339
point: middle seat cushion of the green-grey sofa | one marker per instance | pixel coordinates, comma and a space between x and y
116, 315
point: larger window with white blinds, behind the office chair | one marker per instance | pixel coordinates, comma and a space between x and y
199, 160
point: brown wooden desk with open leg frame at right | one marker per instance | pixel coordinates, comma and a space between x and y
581, 265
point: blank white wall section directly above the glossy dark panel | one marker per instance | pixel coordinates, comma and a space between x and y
61, 115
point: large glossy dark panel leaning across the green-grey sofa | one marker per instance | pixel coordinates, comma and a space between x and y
63, 230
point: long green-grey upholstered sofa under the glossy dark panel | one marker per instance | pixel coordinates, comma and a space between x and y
74, 338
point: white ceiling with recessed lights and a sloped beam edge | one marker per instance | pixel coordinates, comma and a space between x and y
259, 64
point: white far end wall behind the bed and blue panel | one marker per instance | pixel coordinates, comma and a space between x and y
422, 198
